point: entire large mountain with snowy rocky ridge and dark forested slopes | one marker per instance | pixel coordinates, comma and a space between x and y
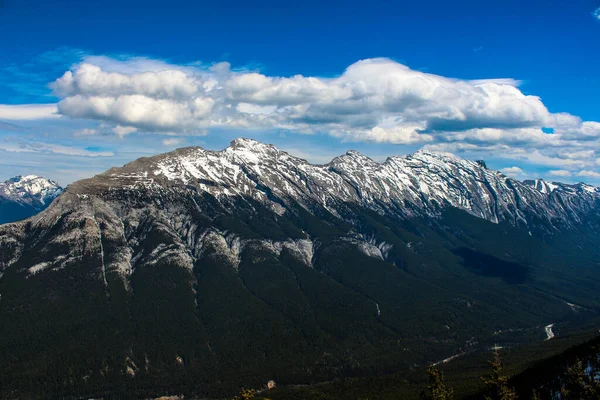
200, 272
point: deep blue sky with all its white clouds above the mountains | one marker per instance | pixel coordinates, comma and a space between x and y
85, 86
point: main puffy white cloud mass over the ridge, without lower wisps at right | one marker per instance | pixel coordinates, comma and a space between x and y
374, 99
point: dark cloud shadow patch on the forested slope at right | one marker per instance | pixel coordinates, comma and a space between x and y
487, 265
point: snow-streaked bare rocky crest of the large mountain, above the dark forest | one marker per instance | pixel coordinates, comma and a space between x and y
419, 184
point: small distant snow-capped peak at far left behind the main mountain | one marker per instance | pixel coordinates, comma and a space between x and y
24, 196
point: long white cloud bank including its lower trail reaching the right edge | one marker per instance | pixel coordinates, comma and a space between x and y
374, 100
